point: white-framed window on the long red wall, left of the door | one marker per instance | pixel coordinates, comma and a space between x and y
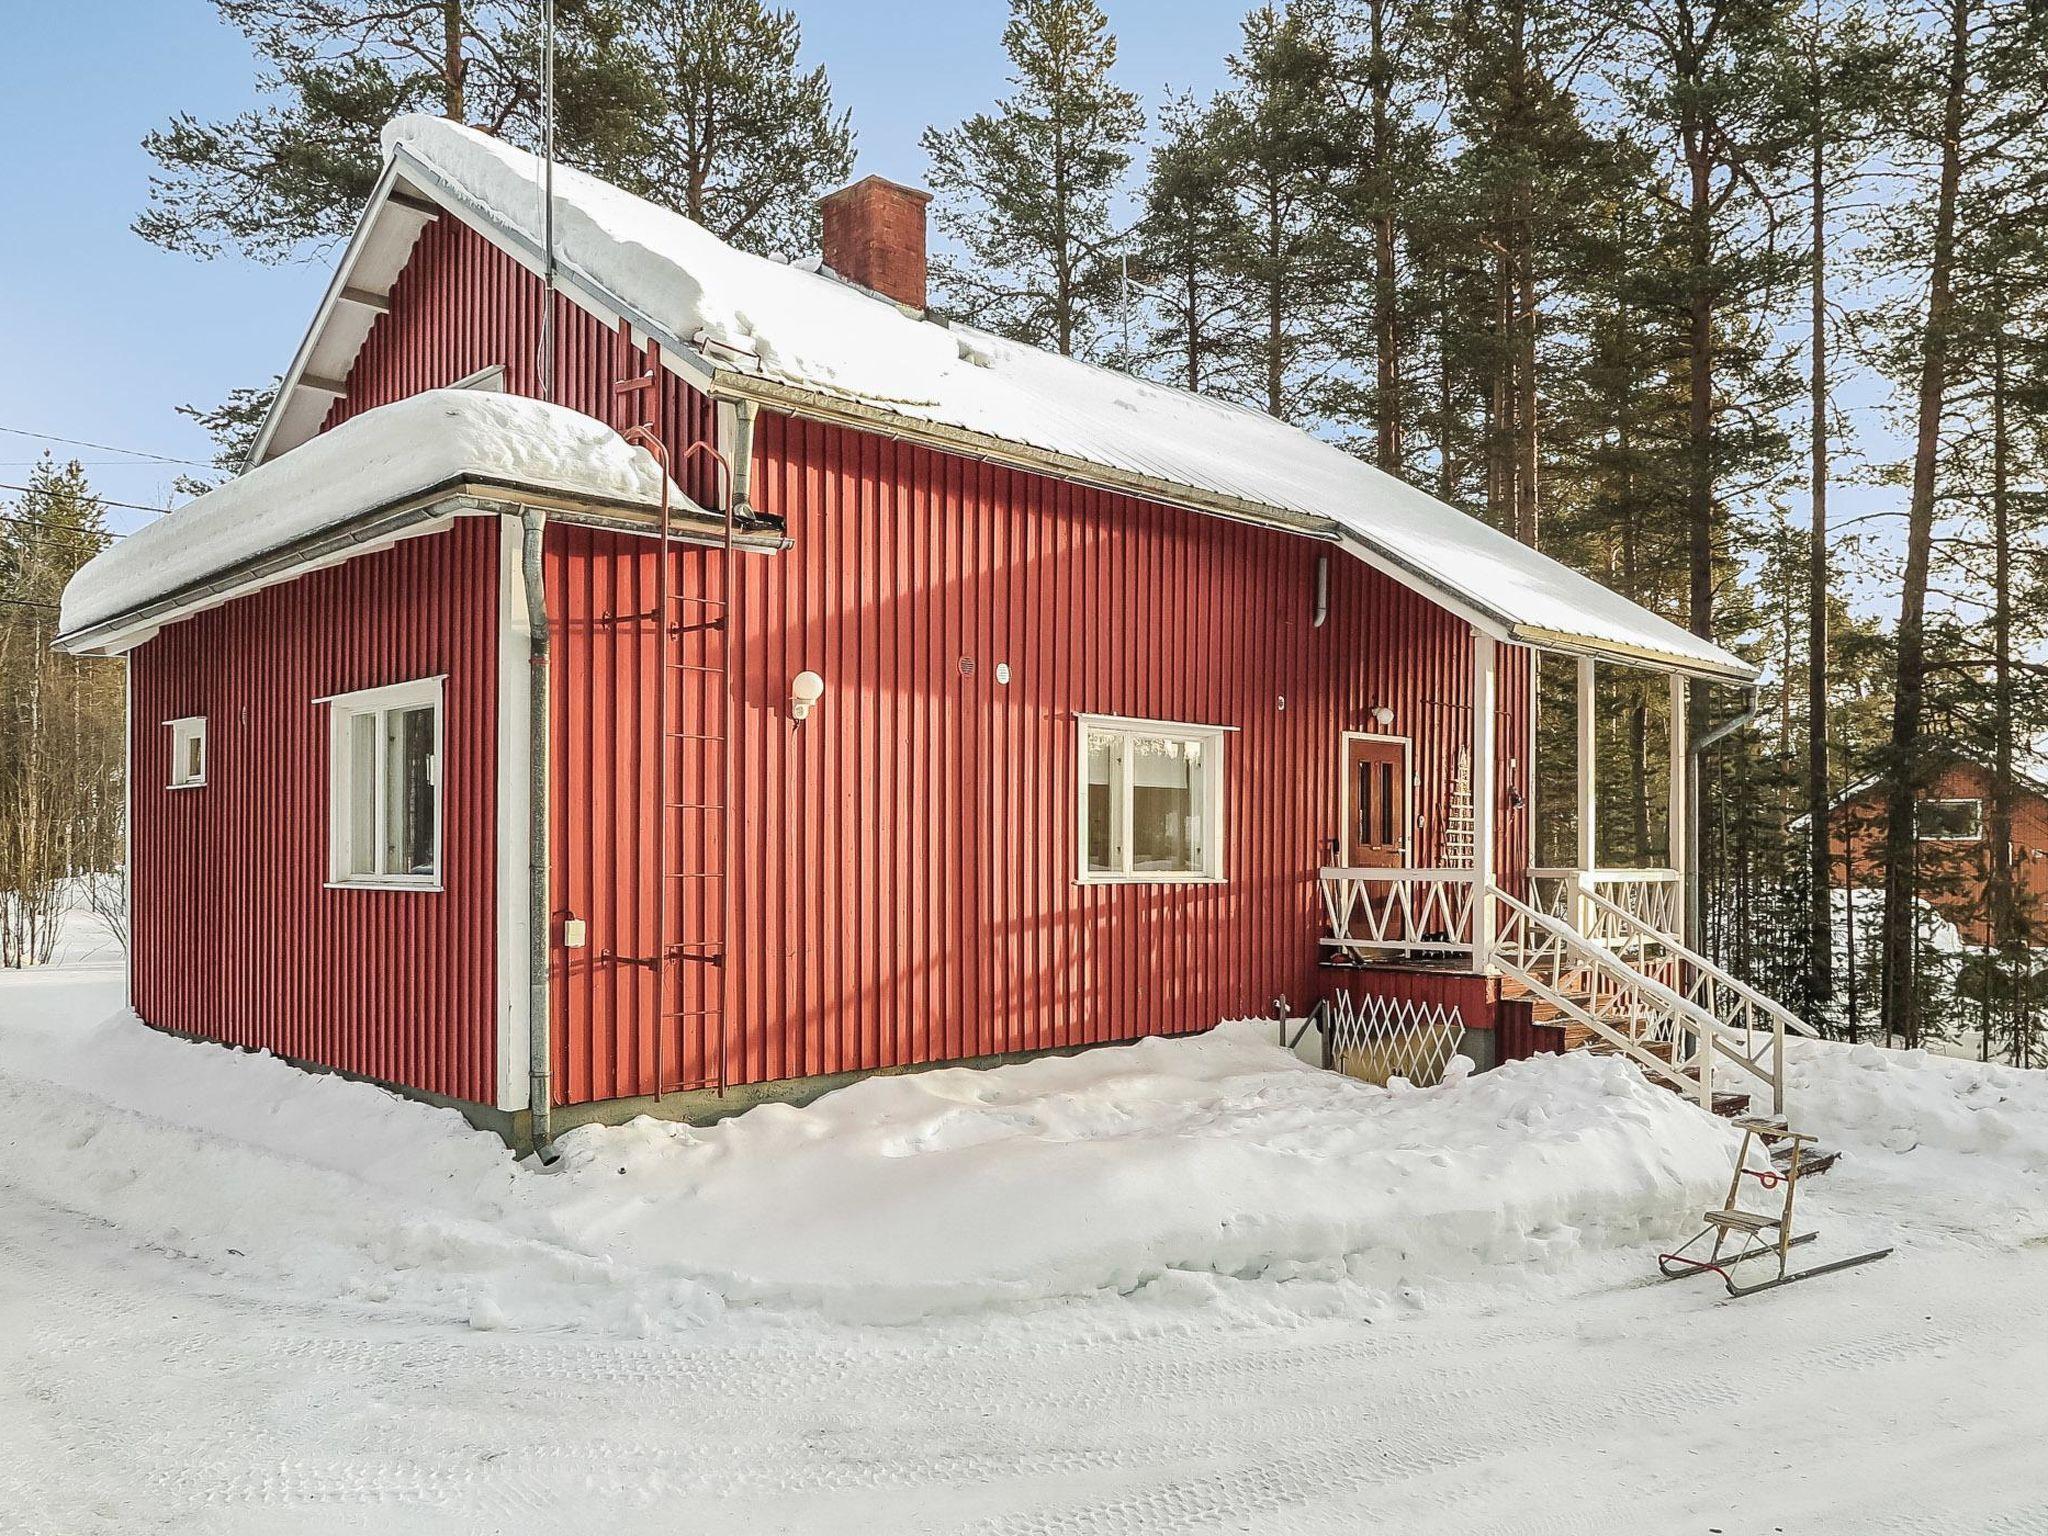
1152, 802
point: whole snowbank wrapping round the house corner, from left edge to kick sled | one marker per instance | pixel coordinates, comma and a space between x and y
1172, 1168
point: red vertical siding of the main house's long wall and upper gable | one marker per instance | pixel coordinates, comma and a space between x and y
904, 863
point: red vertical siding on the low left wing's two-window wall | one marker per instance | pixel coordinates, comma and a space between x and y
237, 935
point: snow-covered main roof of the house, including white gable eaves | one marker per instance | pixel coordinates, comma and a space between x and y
798, 339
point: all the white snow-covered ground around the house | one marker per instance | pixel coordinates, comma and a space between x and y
1181, 1287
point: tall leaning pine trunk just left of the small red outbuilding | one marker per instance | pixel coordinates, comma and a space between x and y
1910, 693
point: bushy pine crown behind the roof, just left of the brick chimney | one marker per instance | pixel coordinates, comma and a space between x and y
730, 132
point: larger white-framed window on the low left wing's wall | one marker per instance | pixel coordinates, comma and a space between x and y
384, 773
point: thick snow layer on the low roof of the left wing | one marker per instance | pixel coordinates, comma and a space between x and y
378, 460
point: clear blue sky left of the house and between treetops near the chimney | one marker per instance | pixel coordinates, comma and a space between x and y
101, 335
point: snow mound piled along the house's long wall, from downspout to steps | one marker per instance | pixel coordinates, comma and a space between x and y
1213, 1156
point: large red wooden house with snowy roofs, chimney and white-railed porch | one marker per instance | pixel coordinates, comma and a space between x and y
974, 701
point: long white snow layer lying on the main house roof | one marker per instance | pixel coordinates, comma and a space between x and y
812, 331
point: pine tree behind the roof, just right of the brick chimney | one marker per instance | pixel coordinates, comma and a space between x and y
1027, 189
